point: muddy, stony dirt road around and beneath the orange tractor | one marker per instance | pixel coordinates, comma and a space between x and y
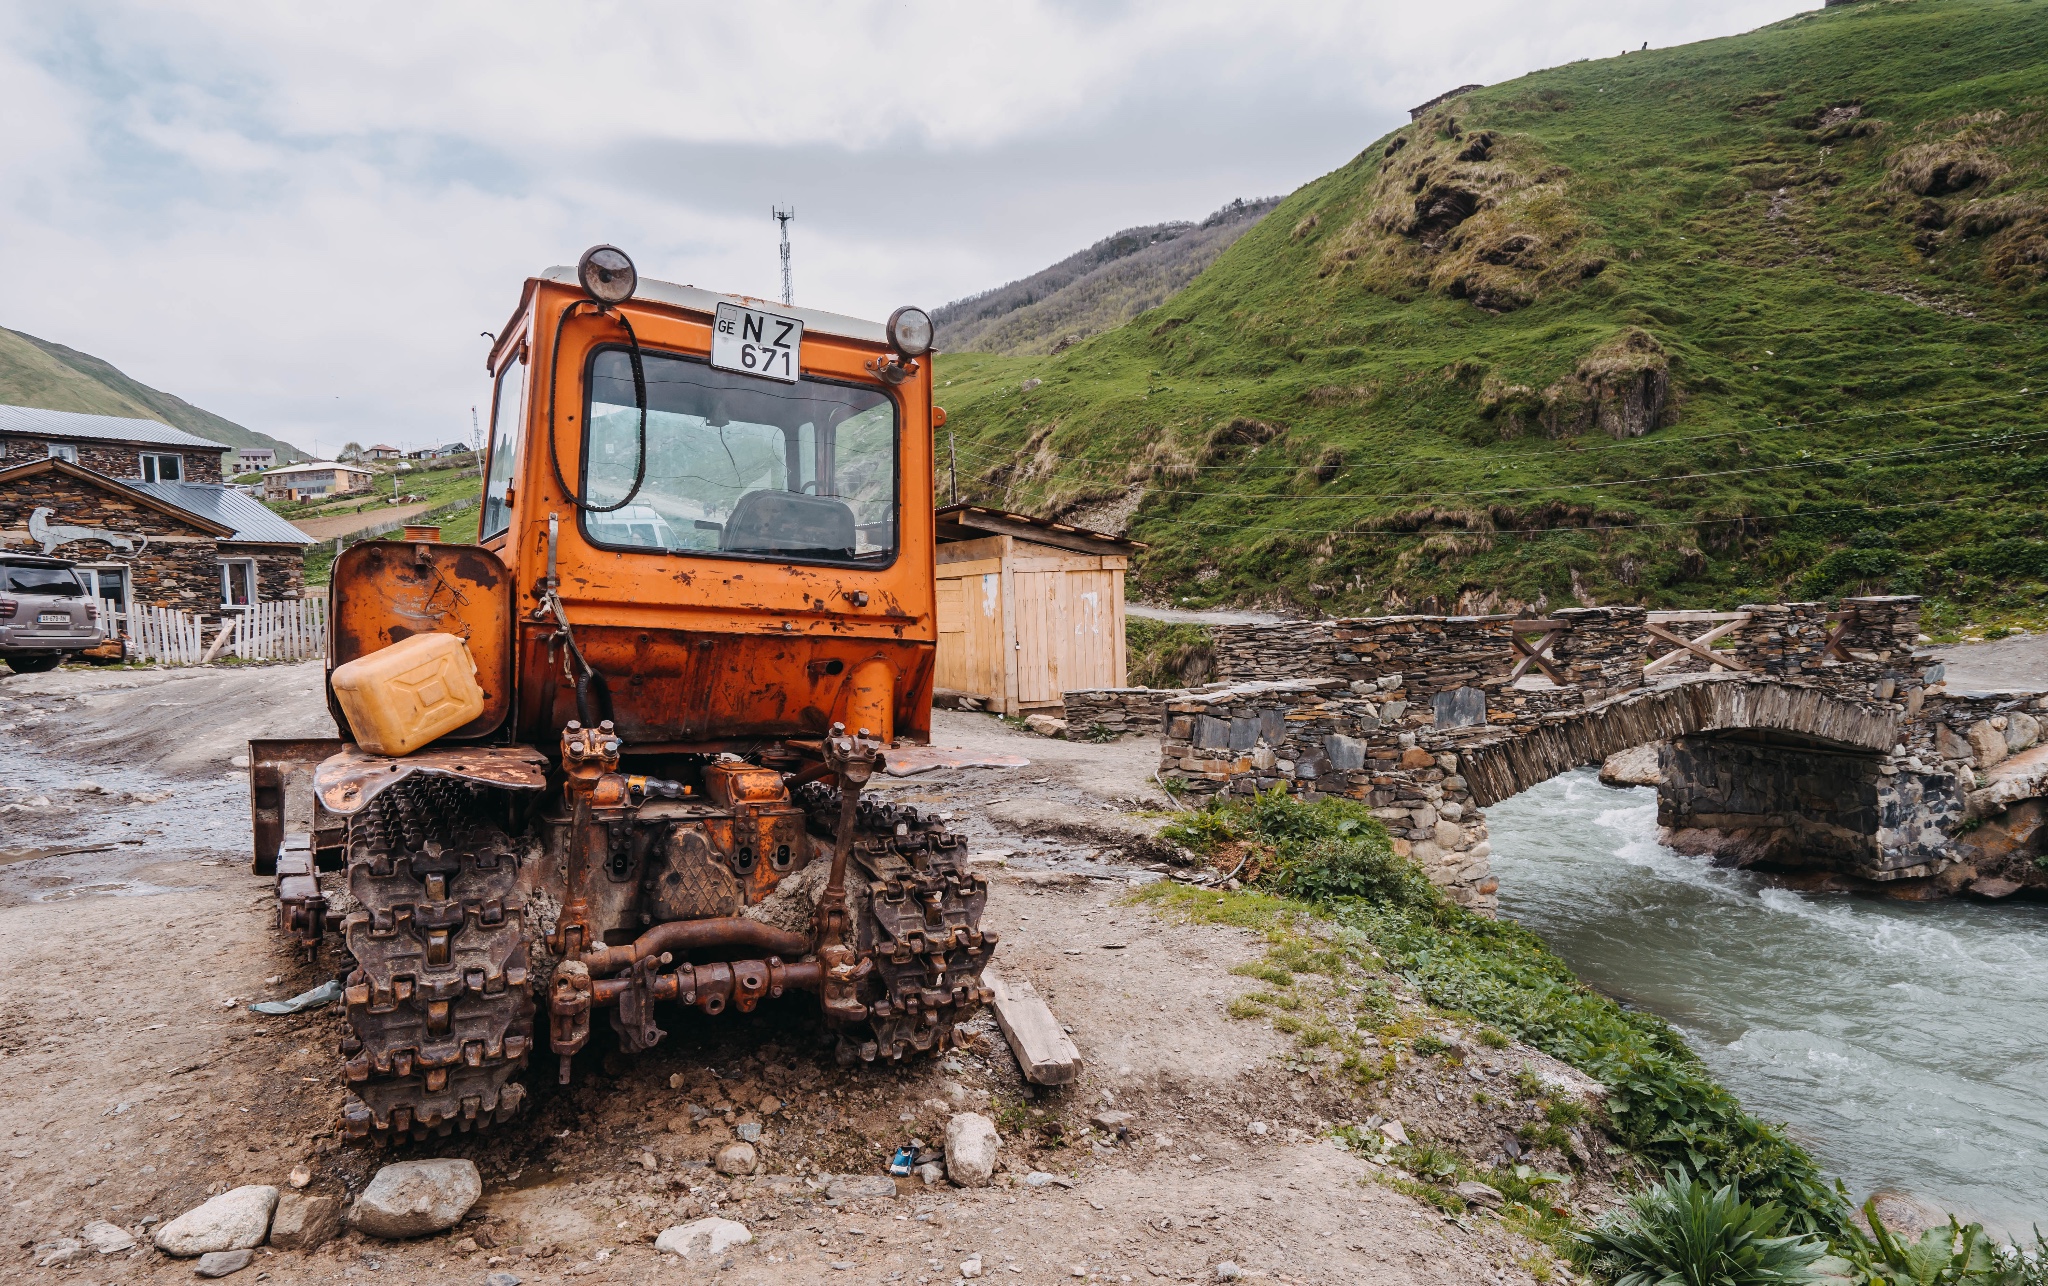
132, 939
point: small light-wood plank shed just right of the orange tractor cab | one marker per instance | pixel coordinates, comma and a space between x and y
1027, 609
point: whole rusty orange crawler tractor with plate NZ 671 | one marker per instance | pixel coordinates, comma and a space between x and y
609, 761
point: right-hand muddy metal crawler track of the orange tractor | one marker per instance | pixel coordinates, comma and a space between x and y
923, 925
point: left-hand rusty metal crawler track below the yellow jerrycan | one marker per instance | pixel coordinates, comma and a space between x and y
439, 1002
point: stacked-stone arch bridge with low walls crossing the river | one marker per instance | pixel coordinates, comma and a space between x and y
1791, 736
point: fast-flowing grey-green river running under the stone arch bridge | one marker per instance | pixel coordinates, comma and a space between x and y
1904, 1043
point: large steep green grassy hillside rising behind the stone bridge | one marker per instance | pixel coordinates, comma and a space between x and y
1742, 320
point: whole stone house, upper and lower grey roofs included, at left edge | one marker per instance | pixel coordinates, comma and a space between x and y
159, 525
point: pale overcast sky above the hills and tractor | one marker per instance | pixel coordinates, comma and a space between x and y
302, 216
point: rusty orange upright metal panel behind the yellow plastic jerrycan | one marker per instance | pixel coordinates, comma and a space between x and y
390, 591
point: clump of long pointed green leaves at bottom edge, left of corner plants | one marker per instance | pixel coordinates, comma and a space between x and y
1687, 1234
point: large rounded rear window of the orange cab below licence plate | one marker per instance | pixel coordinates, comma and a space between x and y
740, 466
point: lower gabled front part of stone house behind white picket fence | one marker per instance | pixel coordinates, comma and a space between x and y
198, 548
